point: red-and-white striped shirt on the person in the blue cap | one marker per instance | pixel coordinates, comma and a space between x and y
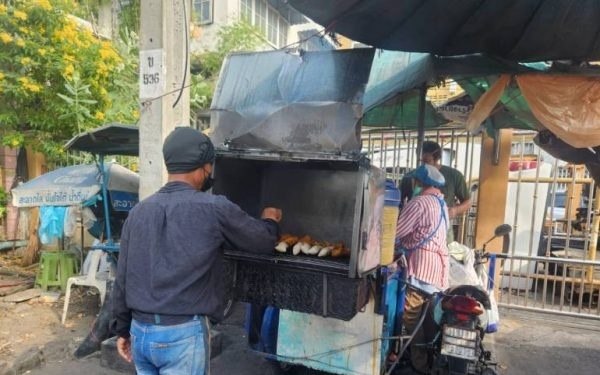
418, 220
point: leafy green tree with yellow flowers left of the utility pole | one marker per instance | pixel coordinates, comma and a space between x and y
56, 77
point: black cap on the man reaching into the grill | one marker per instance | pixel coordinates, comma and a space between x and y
186, 149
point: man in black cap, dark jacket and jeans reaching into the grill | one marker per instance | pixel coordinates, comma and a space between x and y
169, 277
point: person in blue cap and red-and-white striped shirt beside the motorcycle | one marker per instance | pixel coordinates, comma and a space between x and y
421, 233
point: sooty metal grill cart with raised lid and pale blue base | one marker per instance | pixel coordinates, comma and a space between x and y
286, 128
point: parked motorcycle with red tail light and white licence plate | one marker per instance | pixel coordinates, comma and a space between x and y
456, 320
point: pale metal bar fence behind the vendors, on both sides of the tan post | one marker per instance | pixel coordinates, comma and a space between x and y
551, 205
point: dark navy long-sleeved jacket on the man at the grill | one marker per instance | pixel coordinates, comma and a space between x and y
171, 258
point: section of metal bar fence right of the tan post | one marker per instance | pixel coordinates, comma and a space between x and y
551, 206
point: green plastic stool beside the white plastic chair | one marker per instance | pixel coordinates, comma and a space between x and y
55, 269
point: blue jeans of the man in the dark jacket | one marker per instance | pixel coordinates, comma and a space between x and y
182, 349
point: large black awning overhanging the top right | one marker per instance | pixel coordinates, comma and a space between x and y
523, 30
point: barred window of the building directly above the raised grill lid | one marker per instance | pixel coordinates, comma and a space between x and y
267, 20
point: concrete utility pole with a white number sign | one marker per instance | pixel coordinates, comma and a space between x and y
164, 81
